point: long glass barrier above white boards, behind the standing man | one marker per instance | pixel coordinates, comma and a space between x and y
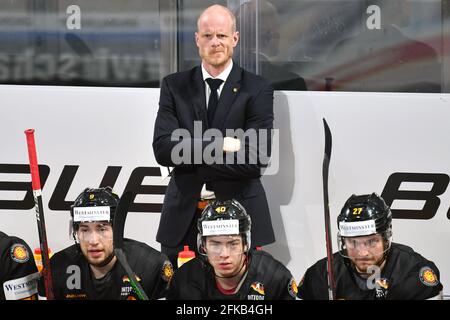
342, 45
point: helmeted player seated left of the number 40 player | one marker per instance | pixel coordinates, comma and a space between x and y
89, 269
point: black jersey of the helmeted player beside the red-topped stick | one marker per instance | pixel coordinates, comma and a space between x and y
72, 278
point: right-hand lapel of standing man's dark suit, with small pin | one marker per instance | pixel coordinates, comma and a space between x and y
227, 96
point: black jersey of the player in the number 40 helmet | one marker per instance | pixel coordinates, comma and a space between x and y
266, 279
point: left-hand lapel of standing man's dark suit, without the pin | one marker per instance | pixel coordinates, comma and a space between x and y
197, 94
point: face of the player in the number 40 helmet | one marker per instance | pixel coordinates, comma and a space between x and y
226, 254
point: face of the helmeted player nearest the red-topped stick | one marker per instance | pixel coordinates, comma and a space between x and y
96, 241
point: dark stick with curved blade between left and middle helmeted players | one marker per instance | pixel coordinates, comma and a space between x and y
118, 228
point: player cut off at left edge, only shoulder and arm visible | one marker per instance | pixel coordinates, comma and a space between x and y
18, 271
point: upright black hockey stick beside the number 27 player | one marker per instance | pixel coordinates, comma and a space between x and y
325, 169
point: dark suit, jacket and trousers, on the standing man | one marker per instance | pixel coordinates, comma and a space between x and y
246, 102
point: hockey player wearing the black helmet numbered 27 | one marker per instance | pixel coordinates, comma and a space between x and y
369, 266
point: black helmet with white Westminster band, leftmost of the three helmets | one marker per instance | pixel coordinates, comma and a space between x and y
102, 201
